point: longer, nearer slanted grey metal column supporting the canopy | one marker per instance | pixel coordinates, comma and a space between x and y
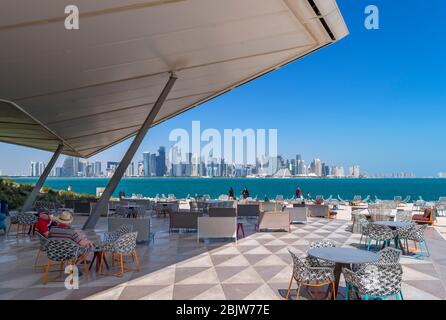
102, 204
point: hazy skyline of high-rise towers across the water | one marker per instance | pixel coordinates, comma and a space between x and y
159, 165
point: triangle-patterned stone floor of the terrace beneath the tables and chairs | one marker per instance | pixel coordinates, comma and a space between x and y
174, 265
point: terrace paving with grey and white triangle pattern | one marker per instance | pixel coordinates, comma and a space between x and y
177, 267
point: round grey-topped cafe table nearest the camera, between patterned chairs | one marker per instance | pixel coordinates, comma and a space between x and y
343, 258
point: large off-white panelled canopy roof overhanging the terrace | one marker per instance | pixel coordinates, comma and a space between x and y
92, 88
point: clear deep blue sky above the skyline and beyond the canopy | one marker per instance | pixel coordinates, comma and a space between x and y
377, 98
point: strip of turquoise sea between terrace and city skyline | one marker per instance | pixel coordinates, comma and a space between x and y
429, 189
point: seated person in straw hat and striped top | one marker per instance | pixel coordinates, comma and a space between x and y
63, 229
